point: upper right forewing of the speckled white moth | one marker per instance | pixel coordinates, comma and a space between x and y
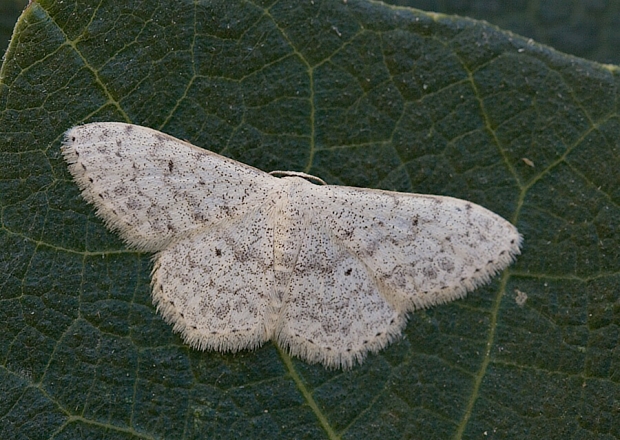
422, 250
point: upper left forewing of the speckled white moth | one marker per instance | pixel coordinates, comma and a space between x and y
153, 188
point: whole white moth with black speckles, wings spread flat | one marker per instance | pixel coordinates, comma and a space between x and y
243, 257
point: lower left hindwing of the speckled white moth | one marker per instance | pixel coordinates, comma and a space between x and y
216, 286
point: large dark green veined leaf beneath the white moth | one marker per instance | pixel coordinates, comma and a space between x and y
357, 93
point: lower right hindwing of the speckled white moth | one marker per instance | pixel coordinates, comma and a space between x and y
334, 312
